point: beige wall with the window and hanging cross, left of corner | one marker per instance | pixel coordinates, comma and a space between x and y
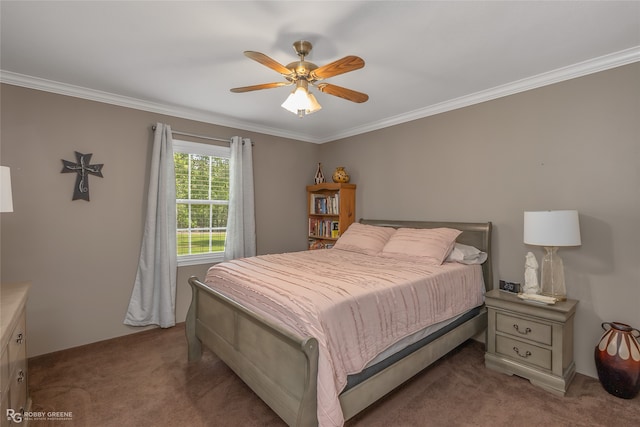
82, 256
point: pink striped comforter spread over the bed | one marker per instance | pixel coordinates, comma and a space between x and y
355, 305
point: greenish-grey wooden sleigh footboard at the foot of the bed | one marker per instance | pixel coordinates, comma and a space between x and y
279, 366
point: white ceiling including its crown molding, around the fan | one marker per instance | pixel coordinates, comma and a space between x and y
422, 57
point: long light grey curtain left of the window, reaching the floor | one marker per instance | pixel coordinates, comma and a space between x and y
154, 291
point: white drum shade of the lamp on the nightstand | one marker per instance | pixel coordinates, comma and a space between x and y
552, 228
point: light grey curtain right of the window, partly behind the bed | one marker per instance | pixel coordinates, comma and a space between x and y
241, 225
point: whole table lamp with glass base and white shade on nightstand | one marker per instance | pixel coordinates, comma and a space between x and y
552, 229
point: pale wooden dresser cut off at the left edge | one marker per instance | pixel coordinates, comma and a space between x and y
13, 369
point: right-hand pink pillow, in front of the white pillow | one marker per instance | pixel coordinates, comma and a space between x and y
428, 245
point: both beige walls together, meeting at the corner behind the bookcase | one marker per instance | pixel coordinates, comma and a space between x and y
573, 145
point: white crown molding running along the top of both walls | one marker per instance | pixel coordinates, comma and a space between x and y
591, 66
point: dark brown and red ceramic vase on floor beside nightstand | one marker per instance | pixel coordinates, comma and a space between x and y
617, 357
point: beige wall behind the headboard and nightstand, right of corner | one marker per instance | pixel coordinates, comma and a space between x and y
572, 145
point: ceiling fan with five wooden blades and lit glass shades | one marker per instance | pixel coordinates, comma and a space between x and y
304, 73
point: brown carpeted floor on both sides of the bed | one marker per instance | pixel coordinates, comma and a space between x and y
145, 380
